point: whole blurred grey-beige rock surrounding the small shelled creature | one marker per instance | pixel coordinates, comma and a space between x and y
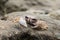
46, 10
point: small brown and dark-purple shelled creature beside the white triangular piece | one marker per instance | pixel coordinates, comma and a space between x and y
35, 23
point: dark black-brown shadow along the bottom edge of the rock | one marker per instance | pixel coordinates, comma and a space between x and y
26, 36
